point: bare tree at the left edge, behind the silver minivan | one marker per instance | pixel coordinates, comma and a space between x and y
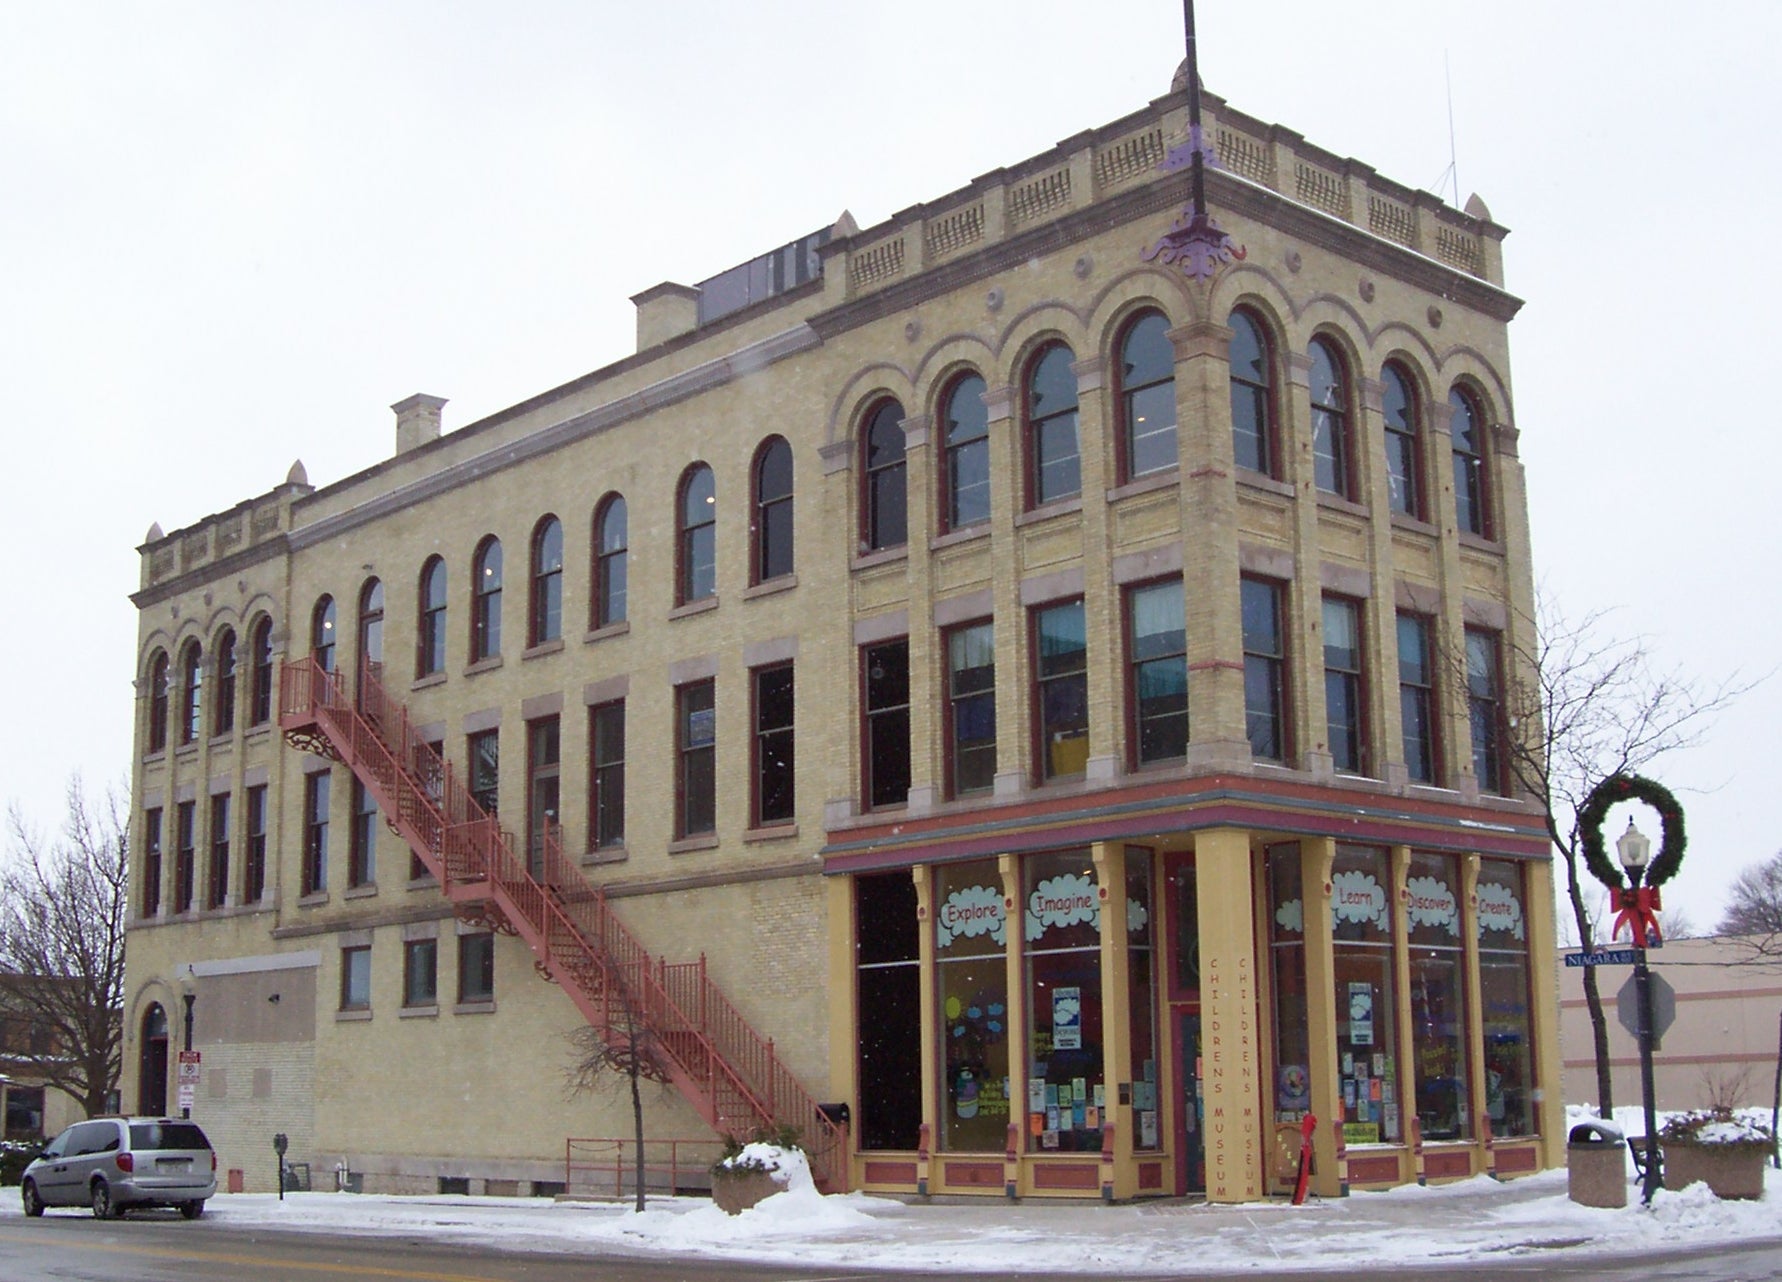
63, 912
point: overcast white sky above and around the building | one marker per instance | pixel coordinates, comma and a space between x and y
231, 236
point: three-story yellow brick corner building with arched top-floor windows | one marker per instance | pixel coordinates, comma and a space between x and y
911, 582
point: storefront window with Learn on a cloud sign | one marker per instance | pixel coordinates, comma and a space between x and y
1366, 1001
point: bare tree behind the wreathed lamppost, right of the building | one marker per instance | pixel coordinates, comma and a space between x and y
1587, 705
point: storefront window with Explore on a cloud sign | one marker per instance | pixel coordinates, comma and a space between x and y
972, 974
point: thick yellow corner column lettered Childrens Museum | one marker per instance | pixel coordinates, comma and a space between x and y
1230, 1046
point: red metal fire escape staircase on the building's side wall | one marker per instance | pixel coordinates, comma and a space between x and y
724, 1069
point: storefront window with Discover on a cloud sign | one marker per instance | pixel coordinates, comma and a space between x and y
1439, 998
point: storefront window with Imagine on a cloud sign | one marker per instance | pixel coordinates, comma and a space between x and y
1065, 1090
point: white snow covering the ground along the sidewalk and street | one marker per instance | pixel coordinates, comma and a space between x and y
1469, 1220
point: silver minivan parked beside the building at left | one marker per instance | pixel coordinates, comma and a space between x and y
119, 1163
